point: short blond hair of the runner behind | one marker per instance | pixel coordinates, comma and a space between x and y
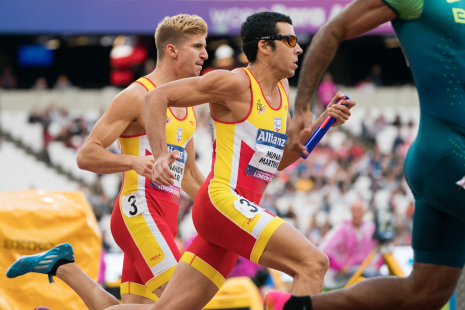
174, 29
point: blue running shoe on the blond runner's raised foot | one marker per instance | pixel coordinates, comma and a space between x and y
41, 262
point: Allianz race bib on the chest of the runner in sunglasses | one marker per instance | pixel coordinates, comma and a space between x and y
265, 161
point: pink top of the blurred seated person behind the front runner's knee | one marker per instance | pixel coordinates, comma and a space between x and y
347, 245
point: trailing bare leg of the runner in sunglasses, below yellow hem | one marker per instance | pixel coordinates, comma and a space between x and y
197, 290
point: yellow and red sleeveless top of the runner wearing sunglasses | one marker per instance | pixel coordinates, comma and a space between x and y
246, 153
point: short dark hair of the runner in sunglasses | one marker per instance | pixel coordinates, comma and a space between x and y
258, 25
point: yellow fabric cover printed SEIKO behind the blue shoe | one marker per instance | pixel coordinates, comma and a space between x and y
35, 221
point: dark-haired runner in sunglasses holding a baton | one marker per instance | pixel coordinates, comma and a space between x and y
250, 113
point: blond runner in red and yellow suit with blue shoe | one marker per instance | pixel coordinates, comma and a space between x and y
144, 220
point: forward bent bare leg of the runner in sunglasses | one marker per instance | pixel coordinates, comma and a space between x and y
290, 252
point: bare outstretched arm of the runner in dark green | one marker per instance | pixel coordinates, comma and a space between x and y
357, 18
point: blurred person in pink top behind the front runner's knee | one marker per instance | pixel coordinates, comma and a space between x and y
347, 245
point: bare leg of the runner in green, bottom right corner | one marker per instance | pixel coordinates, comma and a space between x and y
428, 287
